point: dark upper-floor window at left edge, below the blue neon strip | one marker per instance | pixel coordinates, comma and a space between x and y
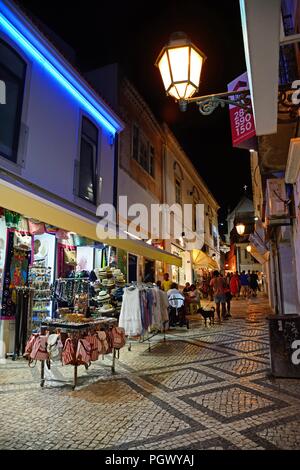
12, 75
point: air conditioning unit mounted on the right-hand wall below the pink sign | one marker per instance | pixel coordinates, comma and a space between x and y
276, 199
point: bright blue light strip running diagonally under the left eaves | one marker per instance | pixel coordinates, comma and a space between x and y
58, 71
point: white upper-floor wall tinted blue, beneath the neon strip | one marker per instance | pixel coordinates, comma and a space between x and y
50, 137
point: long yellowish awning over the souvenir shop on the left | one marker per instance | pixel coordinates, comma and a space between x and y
30, 205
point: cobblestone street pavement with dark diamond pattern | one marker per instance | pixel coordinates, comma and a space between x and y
202, 388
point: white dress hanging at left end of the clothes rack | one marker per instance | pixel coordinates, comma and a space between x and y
130, 316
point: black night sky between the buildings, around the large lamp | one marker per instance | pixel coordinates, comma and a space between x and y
132, 34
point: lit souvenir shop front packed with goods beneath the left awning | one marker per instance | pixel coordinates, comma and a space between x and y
47, 273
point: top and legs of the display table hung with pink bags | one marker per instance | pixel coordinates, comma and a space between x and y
79, 327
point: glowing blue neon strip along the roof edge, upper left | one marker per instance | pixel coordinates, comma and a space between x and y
62, 76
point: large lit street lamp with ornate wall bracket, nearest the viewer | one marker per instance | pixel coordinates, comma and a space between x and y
180, 65
